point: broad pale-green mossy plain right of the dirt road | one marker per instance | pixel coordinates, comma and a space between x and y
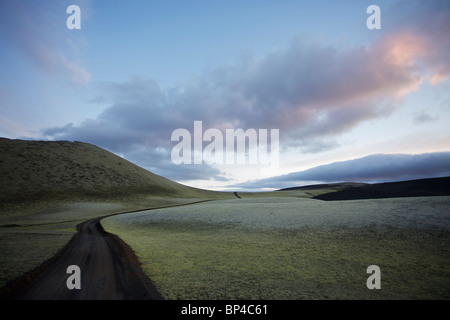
293, 248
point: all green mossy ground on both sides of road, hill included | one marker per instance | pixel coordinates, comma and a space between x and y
270, 245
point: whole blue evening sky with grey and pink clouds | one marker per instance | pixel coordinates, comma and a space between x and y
349, 103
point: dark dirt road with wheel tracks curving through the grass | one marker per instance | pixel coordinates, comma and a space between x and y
109, 270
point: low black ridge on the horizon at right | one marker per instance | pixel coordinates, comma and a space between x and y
410, 188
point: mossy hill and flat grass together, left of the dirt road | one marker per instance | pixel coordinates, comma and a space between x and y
47, 188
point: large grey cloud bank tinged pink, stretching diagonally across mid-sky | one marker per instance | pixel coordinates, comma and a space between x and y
311, 92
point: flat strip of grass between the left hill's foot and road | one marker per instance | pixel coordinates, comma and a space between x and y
31, 234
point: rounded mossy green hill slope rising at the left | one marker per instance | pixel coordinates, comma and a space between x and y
67, 170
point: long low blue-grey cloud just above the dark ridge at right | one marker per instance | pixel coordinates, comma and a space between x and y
371, 169
